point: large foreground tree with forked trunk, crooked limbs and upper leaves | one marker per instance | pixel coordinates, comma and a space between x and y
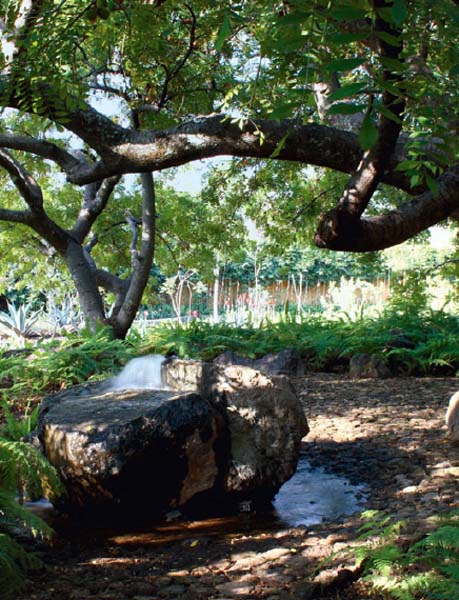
364, 87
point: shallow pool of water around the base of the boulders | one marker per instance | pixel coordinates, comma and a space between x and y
311, 496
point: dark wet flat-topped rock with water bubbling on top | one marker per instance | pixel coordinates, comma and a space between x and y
151, 450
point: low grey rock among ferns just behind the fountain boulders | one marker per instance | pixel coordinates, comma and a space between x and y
286, 362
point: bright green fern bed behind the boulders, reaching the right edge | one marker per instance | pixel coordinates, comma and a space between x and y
413, 343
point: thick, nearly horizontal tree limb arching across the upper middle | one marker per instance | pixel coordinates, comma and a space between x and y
215, 135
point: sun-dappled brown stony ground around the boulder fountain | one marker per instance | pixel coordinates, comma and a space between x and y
388, 434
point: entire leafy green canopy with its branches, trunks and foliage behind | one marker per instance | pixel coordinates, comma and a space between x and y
97, 90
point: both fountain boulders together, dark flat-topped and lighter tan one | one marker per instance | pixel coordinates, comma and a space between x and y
223, 435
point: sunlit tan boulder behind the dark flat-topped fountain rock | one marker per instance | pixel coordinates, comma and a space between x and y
264, 417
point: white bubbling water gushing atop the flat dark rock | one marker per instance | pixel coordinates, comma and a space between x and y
144, 373
